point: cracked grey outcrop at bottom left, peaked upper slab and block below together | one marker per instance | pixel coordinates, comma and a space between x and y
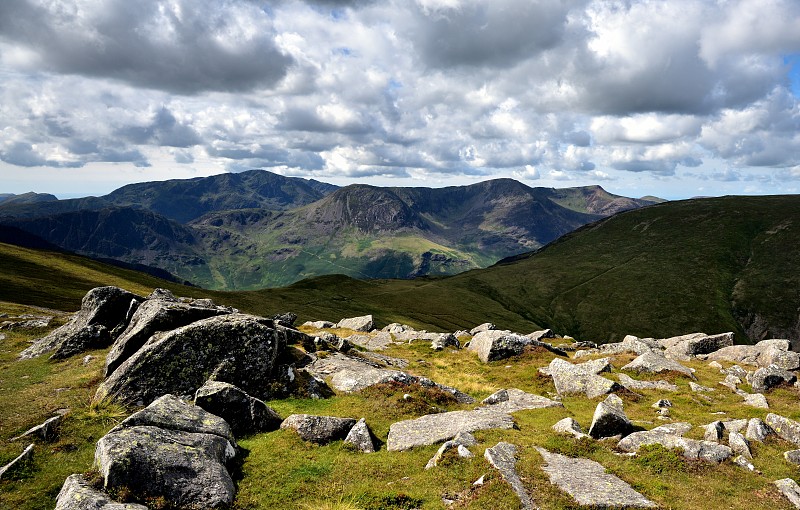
171, 450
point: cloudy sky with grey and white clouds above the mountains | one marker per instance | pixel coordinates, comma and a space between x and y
675, 98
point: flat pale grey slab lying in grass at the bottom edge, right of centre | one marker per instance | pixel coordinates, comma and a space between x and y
589, 484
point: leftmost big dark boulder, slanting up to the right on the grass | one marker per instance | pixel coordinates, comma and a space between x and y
104, 313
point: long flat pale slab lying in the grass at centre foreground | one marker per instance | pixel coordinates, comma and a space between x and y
435, 428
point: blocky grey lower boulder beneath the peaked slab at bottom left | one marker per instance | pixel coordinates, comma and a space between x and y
185, 468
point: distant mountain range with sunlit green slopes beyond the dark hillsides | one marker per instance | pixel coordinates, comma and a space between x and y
258, 229
